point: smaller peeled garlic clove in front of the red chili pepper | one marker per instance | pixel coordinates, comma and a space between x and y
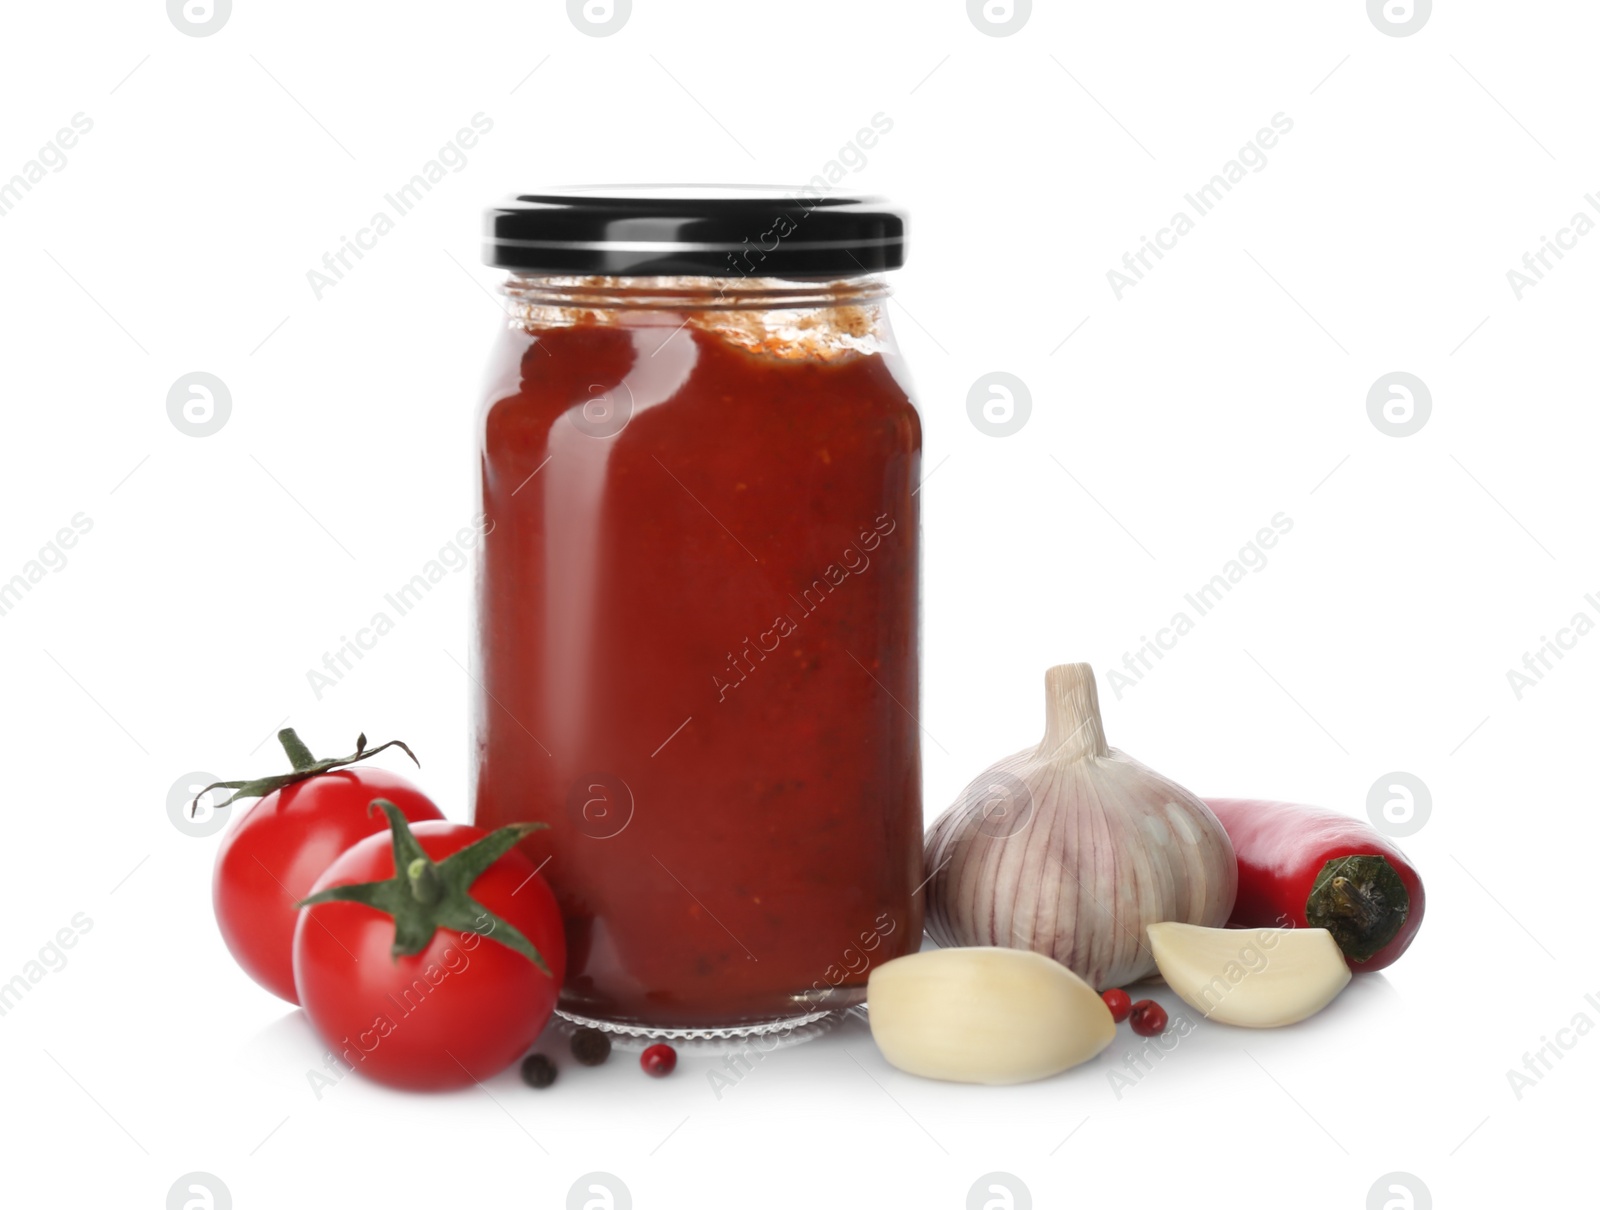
1250, 977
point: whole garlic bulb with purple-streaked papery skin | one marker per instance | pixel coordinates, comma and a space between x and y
1073, 849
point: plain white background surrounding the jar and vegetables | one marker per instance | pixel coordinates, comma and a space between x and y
1228, 387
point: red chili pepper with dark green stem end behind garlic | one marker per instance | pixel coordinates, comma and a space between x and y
1311, 868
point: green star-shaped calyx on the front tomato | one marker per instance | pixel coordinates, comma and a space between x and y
428, 895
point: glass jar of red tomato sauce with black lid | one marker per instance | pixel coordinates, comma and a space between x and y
697, 606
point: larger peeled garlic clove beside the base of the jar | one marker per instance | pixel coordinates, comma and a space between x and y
985, 1016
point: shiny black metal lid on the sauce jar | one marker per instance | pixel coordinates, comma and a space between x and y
703, 231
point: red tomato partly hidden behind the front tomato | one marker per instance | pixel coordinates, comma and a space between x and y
276, 851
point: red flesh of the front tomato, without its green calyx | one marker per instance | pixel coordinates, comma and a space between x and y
458, 1011
